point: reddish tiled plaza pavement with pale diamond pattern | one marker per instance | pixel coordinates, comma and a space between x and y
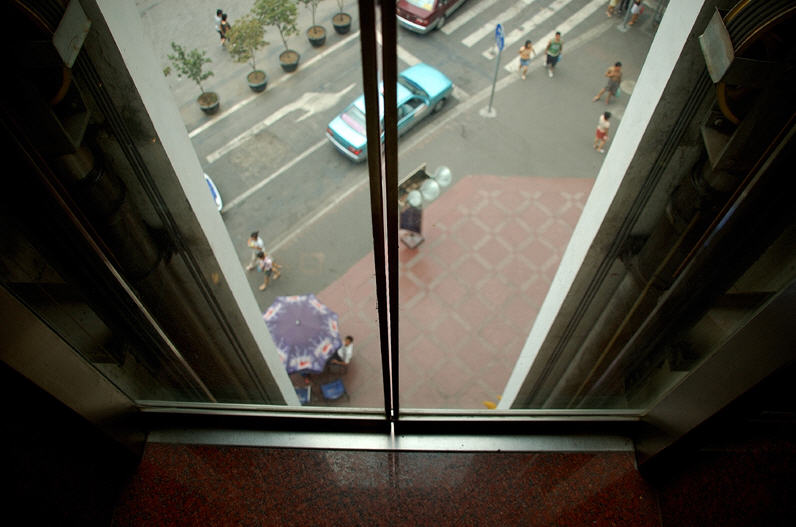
468, 295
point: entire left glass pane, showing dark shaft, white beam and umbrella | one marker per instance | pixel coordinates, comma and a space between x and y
173, 214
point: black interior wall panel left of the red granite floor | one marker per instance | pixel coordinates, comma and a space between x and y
58, 469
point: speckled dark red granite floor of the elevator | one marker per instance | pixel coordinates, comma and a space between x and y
212, 485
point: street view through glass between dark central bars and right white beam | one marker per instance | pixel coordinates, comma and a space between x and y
478, 258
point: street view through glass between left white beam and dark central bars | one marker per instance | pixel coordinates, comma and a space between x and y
286, 163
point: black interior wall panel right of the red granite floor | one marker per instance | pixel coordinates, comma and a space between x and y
739, 468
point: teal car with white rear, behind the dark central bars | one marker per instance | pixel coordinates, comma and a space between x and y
422, 90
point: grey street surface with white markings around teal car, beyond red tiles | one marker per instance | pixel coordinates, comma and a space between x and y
277, 173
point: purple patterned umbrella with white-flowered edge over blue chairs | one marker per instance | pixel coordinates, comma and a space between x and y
304, 331
